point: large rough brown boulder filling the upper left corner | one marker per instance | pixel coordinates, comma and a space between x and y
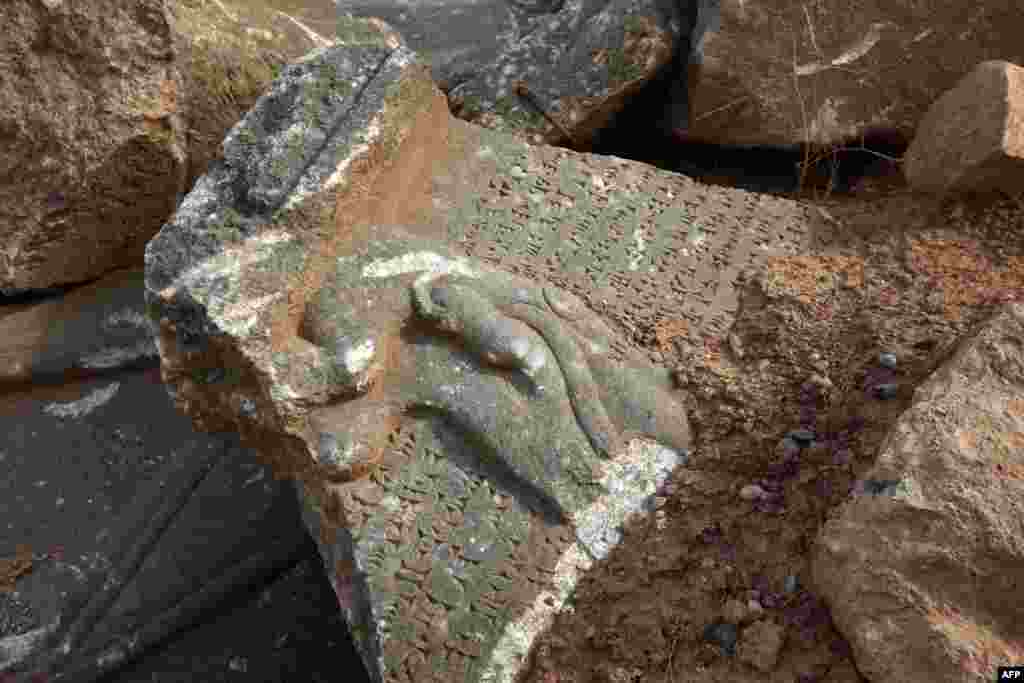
110, 112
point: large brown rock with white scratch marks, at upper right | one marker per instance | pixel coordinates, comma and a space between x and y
779, 71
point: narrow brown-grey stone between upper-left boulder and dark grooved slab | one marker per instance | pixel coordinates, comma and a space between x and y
97, 328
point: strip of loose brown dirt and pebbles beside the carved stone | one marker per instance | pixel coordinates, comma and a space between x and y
790, 408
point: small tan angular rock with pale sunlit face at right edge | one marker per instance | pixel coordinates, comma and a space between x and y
972, 139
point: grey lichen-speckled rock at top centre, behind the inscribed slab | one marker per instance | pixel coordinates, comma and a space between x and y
580, 62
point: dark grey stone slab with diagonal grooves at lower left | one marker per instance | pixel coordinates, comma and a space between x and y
121, 510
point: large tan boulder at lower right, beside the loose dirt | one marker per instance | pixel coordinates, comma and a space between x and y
923, 575
